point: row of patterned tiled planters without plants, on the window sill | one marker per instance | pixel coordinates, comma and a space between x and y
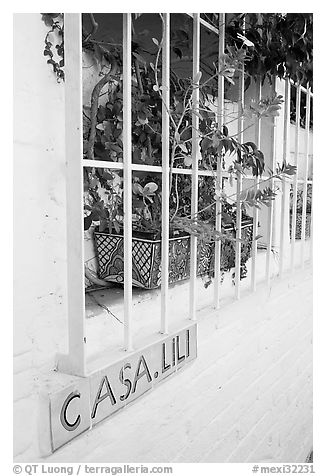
146, 257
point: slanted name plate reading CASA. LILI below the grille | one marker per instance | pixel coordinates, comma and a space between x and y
81, 405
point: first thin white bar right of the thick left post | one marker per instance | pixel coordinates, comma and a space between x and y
127, 181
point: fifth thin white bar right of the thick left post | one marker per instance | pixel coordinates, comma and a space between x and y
239, 185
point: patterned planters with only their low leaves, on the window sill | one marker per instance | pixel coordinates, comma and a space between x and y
108, 237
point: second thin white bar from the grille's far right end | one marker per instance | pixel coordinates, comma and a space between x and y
295, 177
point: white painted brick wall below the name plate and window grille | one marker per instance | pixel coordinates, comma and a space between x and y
246, 398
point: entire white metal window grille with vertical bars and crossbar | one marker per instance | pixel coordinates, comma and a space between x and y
75, 361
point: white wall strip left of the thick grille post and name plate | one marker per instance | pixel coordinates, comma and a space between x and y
39, 225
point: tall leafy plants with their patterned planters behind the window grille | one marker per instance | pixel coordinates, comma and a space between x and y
102, 133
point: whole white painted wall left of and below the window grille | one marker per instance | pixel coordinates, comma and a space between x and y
248, 395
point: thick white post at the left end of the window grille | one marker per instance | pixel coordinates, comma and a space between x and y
75, 362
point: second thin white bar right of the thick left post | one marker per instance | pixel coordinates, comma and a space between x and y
165, 171
